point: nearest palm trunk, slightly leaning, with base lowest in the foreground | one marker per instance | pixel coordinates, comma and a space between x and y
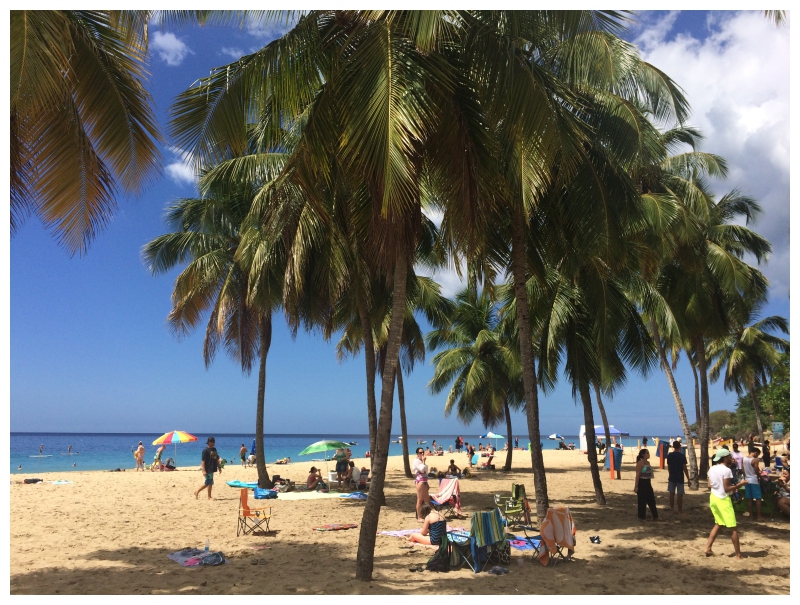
372, 508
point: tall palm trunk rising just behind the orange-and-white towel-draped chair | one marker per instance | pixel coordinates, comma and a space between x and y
518, 266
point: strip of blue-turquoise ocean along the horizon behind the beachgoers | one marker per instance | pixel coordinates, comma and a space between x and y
106, 451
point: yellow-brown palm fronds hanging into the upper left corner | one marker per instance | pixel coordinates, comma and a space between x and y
82, 122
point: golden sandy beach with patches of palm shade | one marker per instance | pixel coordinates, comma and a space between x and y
110, 533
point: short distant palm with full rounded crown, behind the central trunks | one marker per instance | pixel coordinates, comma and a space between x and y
479, 360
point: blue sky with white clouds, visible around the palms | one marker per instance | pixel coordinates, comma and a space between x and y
89, 349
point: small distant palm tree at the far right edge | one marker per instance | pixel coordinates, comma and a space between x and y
749, 355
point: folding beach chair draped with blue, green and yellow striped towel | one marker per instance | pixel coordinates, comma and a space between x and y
485, 544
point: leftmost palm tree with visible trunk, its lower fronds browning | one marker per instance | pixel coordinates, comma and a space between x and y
208, 235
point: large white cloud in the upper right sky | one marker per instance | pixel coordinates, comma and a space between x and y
737, 81
